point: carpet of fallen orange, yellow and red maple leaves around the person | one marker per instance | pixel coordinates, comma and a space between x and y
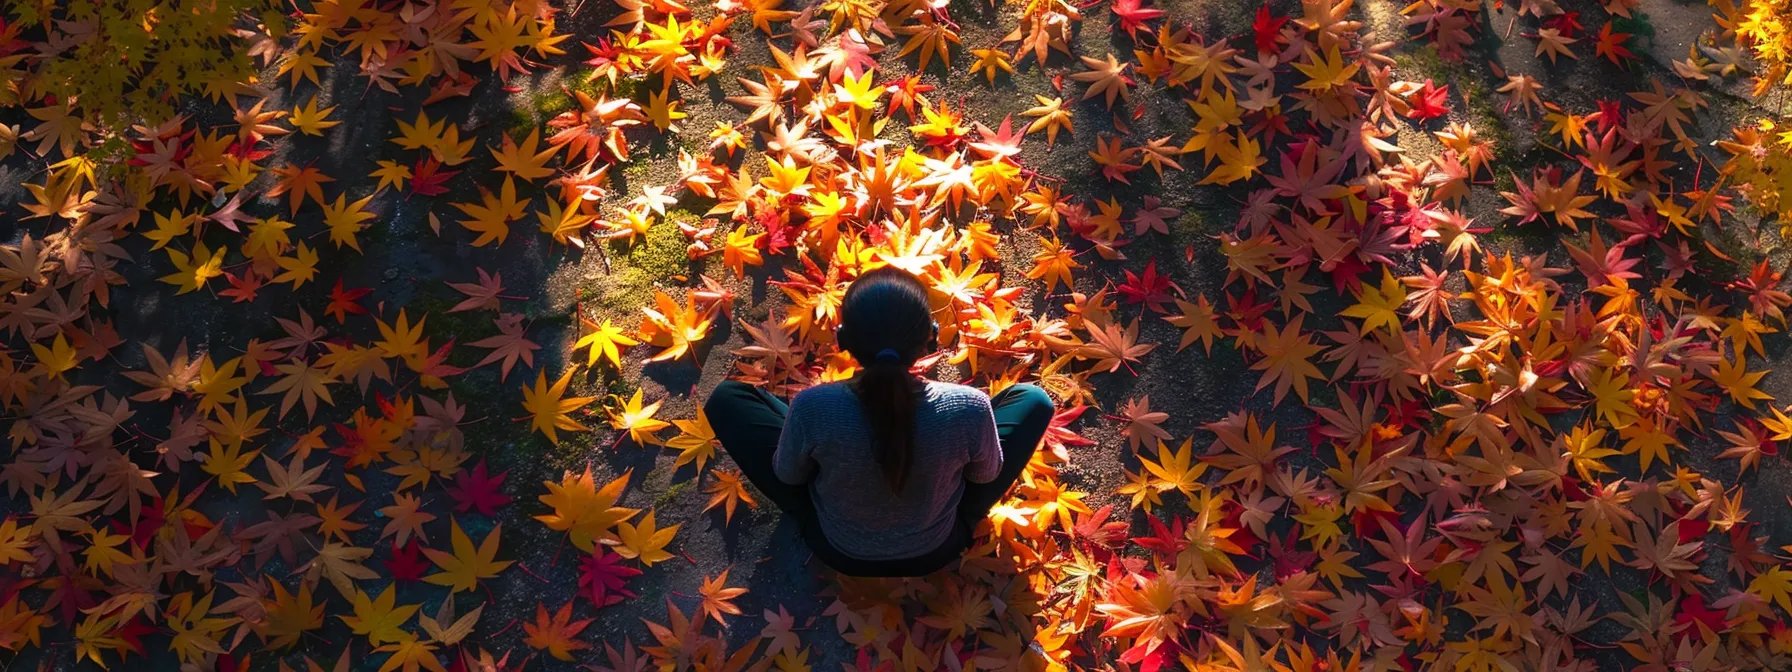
1492, 436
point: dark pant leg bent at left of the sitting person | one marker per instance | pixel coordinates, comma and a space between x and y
748, 424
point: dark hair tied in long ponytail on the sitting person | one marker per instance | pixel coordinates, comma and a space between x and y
886, 323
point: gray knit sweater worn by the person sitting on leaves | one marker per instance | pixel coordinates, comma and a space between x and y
827, 445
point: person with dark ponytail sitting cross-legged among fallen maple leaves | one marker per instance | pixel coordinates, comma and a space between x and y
886, 474
